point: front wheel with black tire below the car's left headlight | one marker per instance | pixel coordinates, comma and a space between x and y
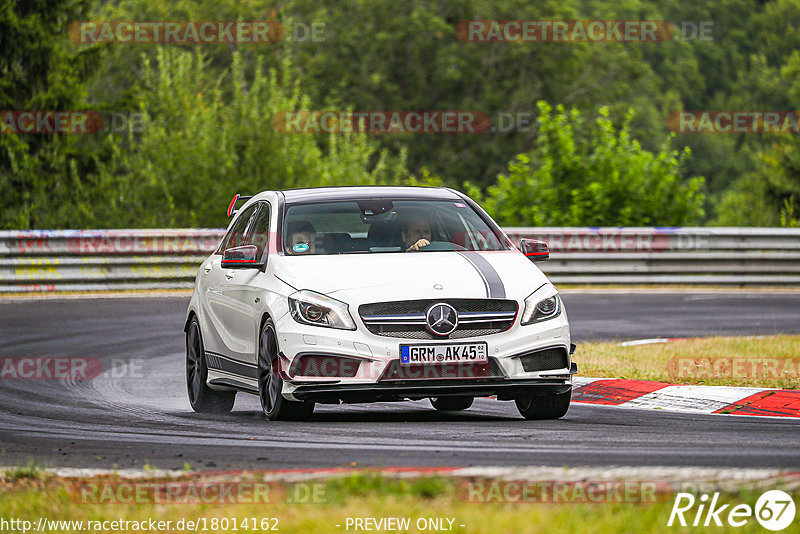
270, 383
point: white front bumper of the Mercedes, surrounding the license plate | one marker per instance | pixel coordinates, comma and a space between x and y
377, 354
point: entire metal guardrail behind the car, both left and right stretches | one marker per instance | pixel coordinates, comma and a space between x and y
87, 260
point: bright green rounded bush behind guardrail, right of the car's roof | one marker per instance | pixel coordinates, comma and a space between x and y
584, 172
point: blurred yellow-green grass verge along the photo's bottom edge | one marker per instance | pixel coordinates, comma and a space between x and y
354, 496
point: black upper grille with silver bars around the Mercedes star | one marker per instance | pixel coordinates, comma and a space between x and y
406, 319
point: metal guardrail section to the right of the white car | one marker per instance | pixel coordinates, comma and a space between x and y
696, 256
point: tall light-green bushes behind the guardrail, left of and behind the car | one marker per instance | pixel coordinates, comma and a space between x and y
190, 150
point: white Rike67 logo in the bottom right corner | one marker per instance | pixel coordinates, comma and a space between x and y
774, 510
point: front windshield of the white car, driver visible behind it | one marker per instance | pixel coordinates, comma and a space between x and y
376, 226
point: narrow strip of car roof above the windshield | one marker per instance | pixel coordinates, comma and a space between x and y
360, 192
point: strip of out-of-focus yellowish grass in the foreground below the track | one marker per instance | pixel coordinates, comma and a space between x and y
367, 495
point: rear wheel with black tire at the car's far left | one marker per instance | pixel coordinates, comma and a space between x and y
202, 398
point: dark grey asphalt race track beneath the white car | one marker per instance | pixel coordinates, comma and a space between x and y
144, 417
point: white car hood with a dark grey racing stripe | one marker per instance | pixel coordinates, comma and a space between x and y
407, 276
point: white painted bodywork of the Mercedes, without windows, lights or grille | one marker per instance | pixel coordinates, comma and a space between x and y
231, 304
